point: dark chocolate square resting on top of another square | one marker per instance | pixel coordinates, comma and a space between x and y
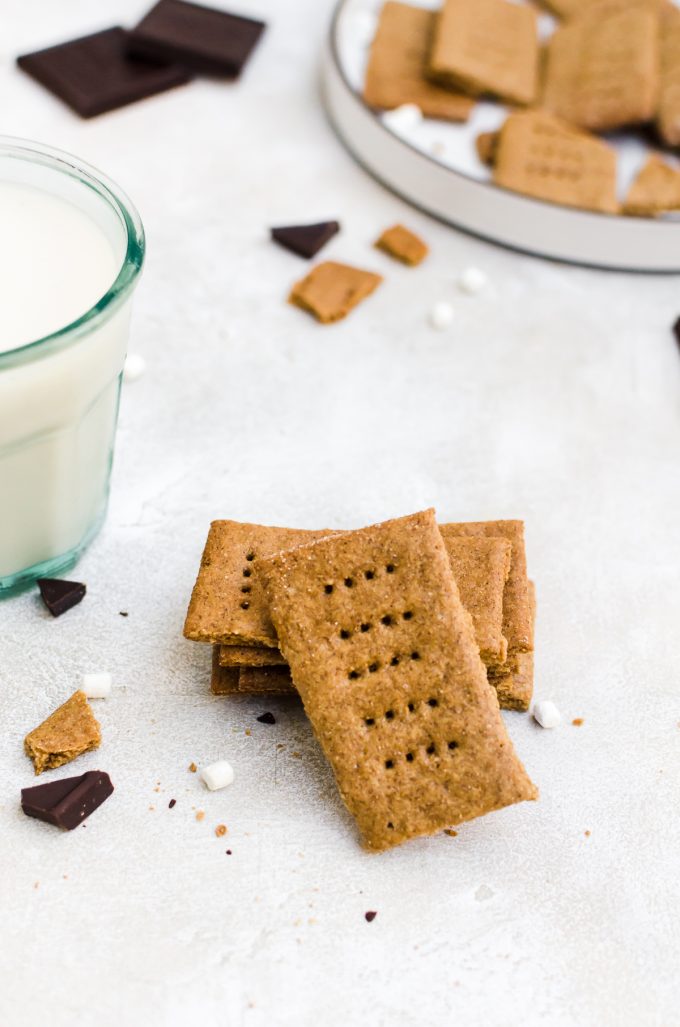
202, 40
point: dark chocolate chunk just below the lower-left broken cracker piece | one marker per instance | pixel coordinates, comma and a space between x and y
66, 804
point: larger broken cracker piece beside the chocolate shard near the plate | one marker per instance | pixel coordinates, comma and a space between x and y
332, 290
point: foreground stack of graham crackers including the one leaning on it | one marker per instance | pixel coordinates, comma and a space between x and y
404, 640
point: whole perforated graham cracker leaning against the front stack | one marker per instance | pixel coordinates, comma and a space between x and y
384, 656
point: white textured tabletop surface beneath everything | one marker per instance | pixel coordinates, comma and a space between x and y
555, 397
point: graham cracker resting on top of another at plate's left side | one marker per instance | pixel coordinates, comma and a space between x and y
487, 48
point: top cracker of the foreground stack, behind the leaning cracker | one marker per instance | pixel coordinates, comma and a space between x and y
229, 605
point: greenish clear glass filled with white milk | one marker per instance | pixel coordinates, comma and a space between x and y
71, 251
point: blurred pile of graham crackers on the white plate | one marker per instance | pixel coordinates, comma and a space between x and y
610, 66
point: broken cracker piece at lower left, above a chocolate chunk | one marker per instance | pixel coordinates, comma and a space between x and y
68, 733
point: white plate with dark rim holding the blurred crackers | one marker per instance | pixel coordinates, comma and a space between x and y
435, 167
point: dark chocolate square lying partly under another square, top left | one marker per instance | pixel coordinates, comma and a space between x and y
95, 74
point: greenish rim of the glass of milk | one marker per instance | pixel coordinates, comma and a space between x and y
66, 164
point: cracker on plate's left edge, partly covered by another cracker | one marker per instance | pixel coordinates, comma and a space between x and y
397, 66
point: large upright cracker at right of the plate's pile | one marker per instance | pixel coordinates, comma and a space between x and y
605, 73
